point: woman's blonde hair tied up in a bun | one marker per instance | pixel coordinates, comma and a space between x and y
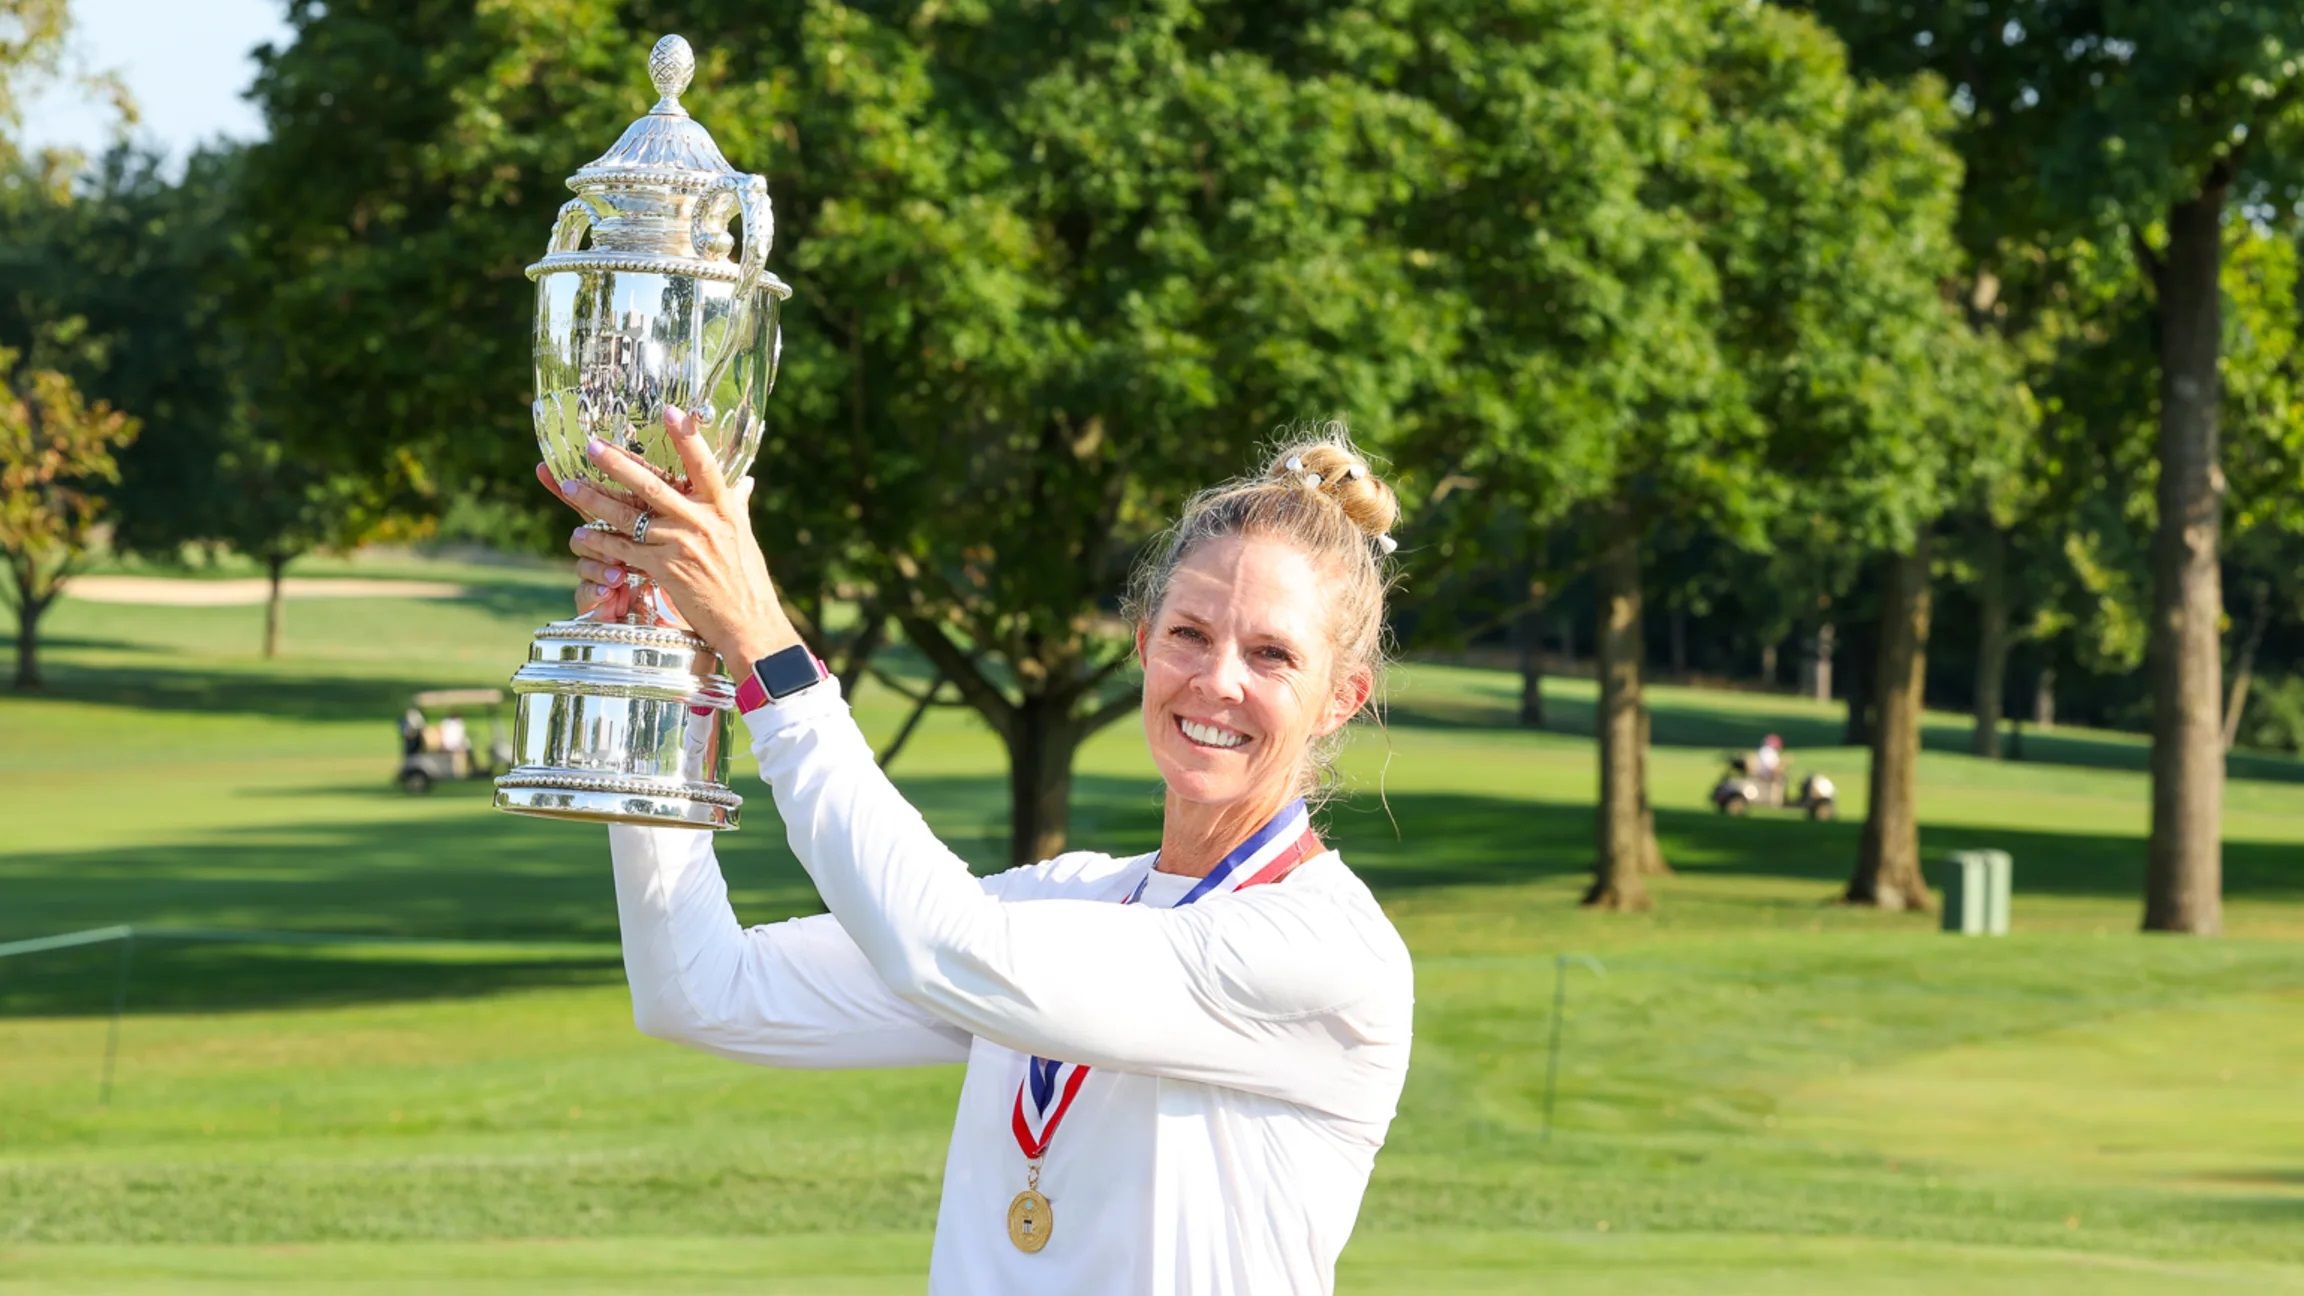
1321, 497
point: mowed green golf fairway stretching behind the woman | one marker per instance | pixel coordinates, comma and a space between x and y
1759, 1092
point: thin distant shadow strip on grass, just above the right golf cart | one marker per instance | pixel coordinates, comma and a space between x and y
1681, 723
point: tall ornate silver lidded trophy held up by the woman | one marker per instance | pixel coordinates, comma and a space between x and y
628, 723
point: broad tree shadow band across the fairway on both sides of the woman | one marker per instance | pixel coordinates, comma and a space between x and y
476, 875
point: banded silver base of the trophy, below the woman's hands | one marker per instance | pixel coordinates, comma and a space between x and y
621, 725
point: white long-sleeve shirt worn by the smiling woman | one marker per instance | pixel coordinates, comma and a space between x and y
1248, 1053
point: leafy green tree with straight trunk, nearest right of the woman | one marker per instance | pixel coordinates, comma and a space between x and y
1699, 278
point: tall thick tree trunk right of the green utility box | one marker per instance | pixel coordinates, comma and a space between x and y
2185, 866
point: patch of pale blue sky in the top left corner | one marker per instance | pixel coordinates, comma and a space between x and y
185, 63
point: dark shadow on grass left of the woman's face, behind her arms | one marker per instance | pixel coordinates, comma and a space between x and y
462, 873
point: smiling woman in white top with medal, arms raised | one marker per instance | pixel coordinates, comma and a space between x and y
1181, 1067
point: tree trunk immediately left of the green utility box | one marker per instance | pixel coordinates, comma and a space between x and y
1888, 864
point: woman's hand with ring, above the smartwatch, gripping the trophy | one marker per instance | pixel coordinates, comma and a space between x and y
699, 545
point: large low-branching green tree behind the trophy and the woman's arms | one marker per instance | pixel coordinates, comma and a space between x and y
1054, 271
